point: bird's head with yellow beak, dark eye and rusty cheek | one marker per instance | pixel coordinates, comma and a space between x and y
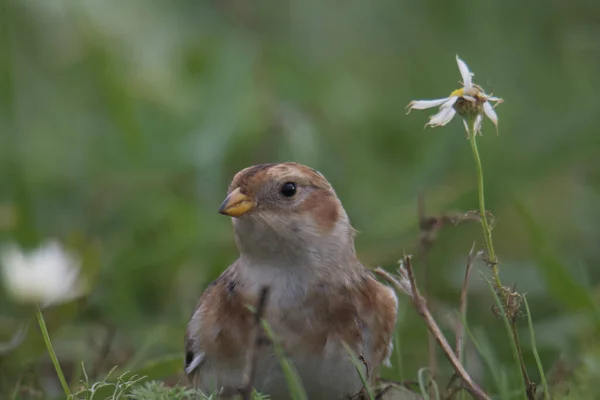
288, 213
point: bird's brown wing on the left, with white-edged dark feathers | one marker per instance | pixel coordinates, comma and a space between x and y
219, 323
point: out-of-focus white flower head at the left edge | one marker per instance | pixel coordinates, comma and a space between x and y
45, 276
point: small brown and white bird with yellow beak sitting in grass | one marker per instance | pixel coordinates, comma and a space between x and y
294, 237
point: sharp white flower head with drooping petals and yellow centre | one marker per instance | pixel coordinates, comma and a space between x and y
470, 101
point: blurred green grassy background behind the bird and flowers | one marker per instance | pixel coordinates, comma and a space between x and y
122, 123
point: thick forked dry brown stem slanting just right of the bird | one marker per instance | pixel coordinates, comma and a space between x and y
421, 307
